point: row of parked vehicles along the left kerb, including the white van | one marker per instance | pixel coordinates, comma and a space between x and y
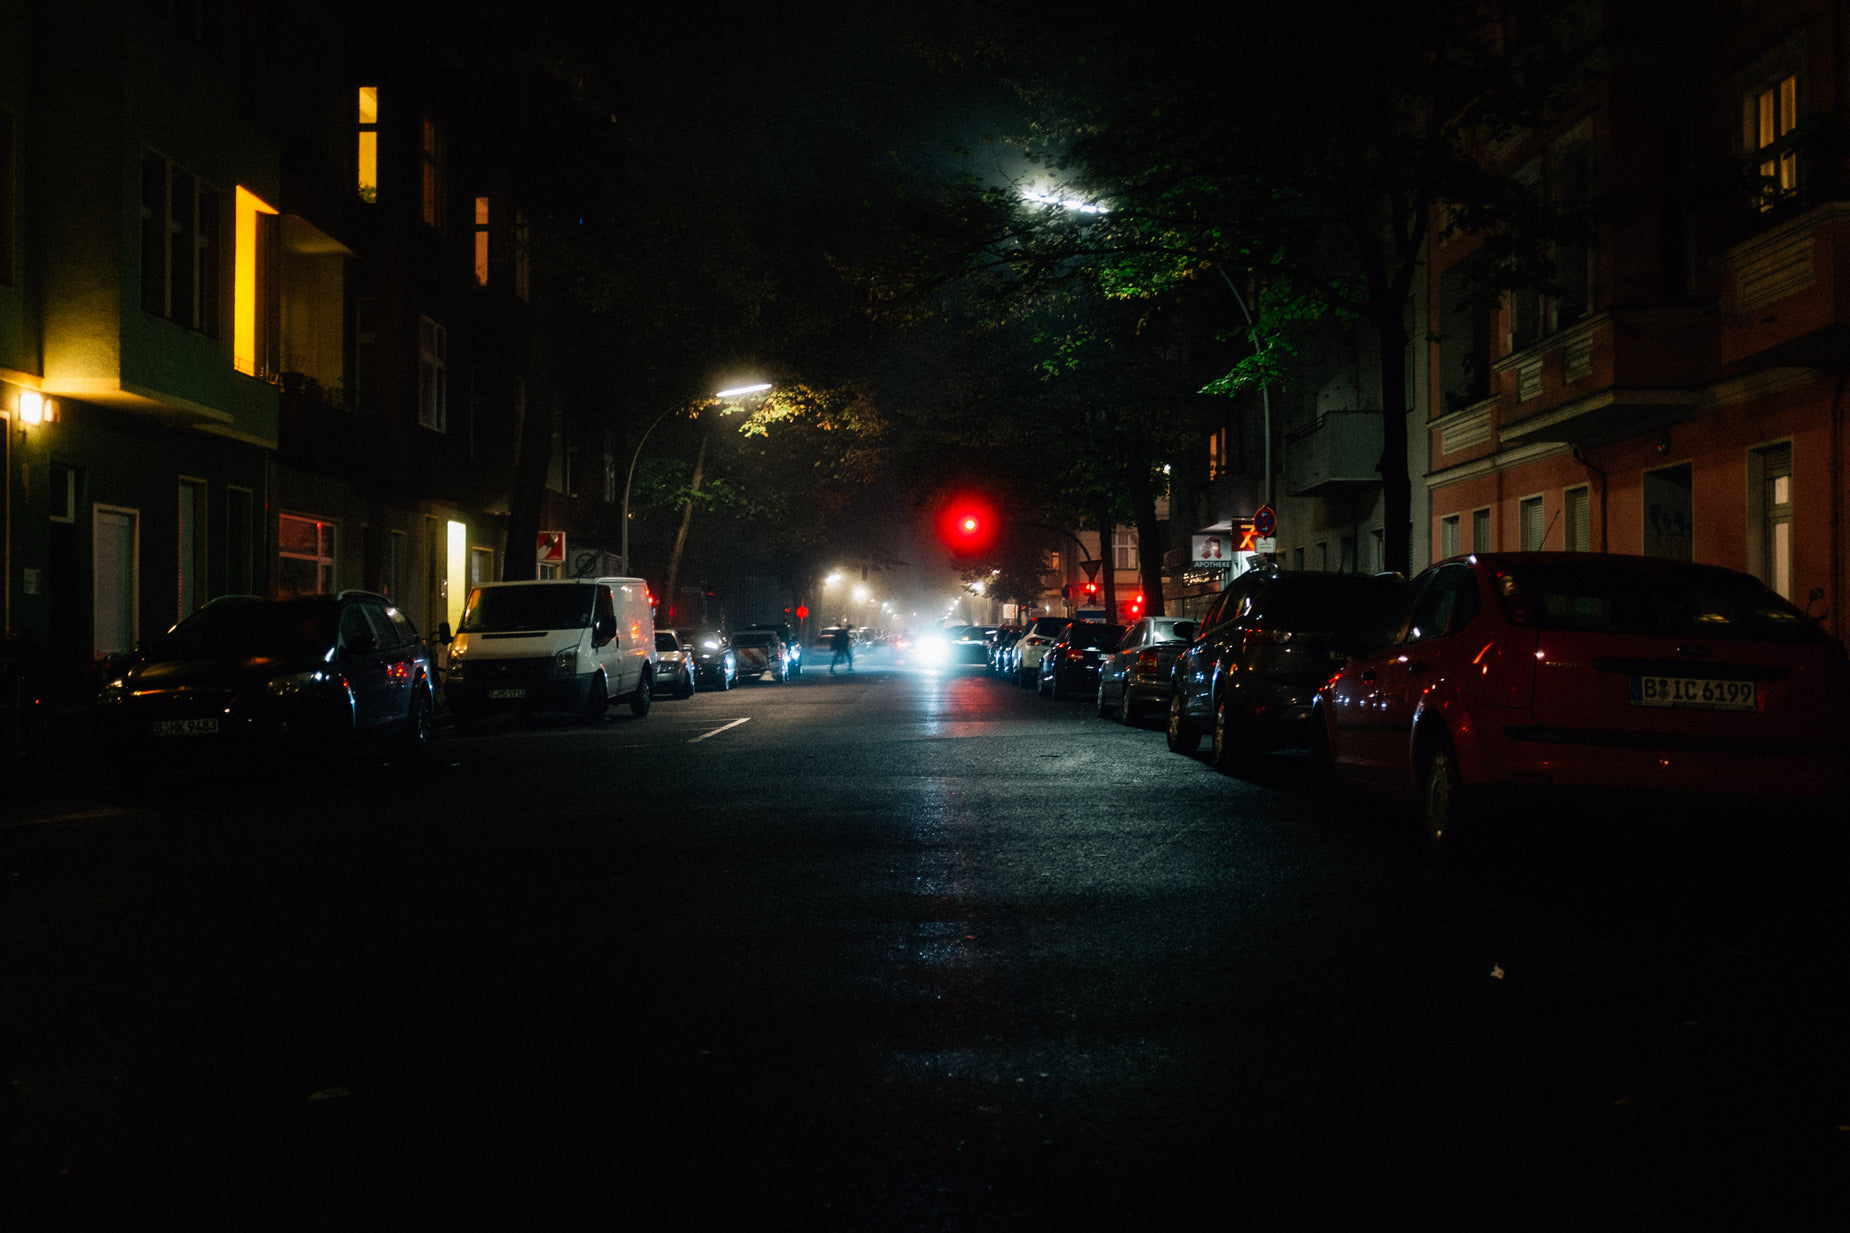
327, 675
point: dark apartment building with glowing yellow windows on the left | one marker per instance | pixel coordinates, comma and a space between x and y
267, 325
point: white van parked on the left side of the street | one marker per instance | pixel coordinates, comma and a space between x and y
558, 645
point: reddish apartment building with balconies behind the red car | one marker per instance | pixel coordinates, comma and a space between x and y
1681, 390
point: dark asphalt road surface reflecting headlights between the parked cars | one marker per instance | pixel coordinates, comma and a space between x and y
894, 951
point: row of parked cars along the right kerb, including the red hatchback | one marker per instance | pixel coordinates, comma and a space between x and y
1496, 680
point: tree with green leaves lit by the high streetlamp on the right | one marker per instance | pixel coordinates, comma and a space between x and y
1301, 153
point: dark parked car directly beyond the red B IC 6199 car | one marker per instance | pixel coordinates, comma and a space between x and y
1261, 654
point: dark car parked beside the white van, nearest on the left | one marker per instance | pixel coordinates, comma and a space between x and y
241, 677
